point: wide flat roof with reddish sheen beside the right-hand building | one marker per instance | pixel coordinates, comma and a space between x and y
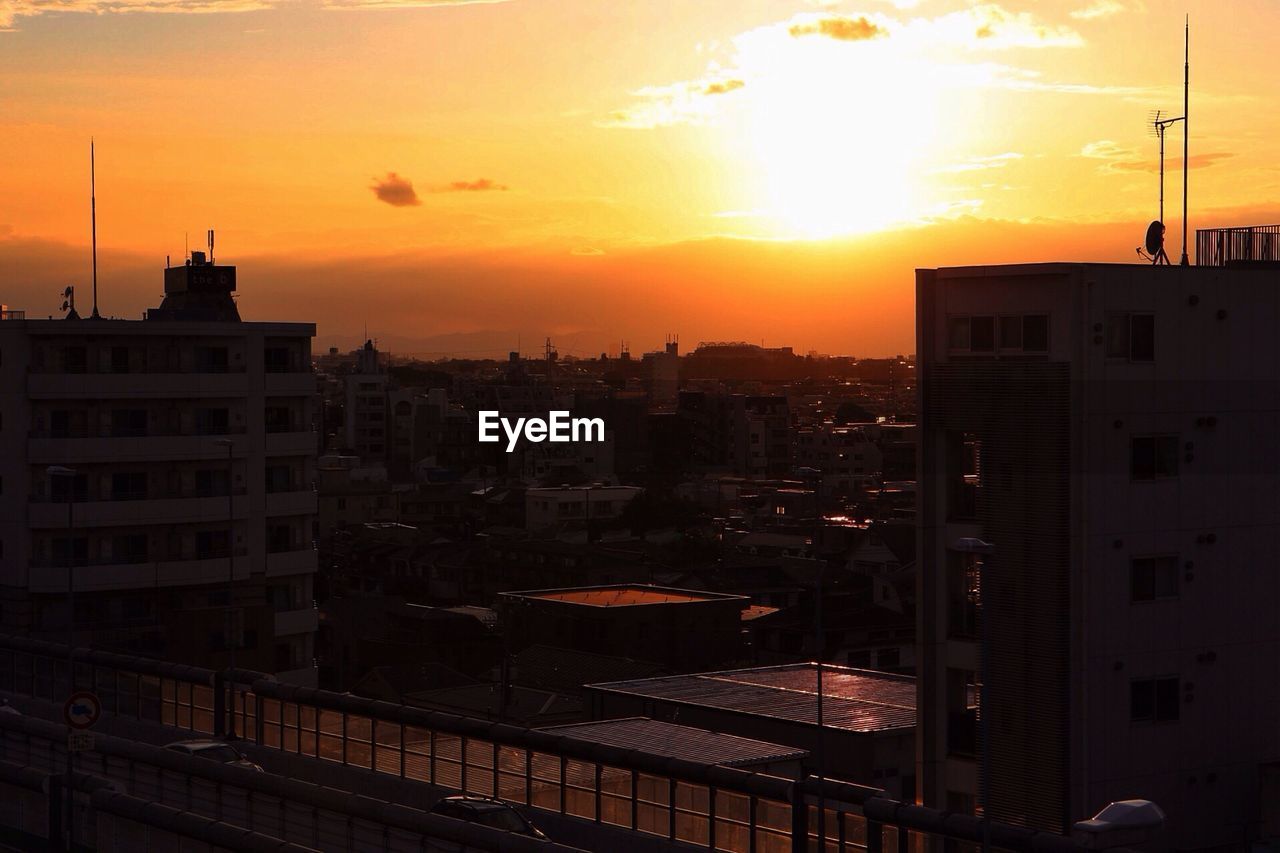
853, 700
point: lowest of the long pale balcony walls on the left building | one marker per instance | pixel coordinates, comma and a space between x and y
45, 578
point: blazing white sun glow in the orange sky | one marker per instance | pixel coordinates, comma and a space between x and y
836, 131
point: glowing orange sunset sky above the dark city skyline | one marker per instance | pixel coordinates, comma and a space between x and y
460, 175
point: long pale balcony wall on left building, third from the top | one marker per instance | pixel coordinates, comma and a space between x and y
52, 516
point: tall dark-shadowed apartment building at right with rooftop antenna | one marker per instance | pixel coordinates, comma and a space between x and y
1100, 483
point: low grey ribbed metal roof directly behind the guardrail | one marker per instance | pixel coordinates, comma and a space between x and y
673, 741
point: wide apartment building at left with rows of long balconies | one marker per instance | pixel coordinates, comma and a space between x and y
177, 546
